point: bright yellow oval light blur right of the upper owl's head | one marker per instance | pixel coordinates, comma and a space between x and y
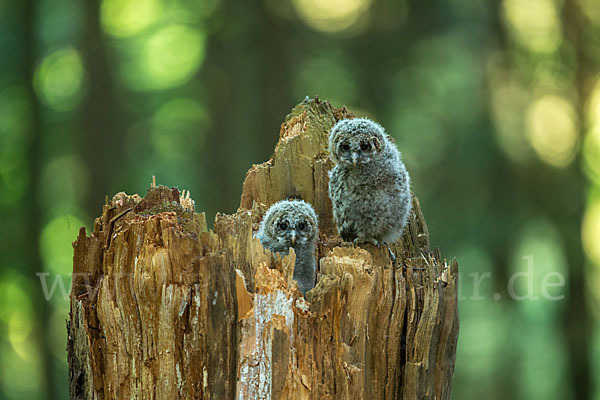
552, 130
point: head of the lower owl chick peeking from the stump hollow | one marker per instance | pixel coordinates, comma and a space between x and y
290, 223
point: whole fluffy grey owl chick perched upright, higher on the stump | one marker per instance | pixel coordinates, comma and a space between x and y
369, 186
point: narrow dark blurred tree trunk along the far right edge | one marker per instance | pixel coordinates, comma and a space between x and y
577, 318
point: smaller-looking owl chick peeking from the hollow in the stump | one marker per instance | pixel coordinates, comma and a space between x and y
293, 224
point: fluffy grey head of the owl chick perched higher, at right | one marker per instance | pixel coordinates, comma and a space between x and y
355, 142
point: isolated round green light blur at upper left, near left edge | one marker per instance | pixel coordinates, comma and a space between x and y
59, 79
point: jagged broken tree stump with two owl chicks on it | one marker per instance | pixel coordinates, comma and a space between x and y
162, 308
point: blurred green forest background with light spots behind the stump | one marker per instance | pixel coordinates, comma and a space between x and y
494, 104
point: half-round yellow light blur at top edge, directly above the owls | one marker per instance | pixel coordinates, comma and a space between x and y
333, 15
